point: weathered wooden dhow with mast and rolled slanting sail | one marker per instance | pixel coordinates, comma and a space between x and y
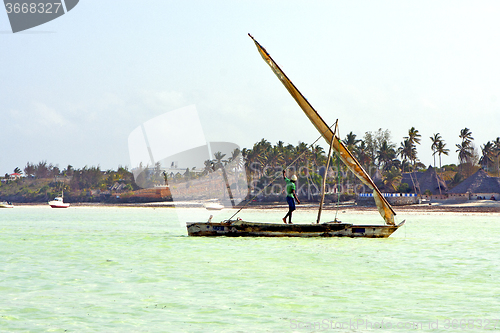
238, 227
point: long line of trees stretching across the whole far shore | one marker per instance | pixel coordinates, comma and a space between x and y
376, 152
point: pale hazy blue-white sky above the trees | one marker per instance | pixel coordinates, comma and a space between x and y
73, 89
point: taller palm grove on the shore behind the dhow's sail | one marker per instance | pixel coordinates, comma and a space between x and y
378, 155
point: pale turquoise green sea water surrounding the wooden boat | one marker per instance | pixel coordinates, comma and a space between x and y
135, 270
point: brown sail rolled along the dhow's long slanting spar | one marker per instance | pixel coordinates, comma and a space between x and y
345, 155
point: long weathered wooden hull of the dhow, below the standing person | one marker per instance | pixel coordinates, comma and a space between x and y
255, 229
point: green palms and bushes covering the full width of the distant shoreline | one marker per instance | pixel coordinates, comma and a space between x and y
384, 161
